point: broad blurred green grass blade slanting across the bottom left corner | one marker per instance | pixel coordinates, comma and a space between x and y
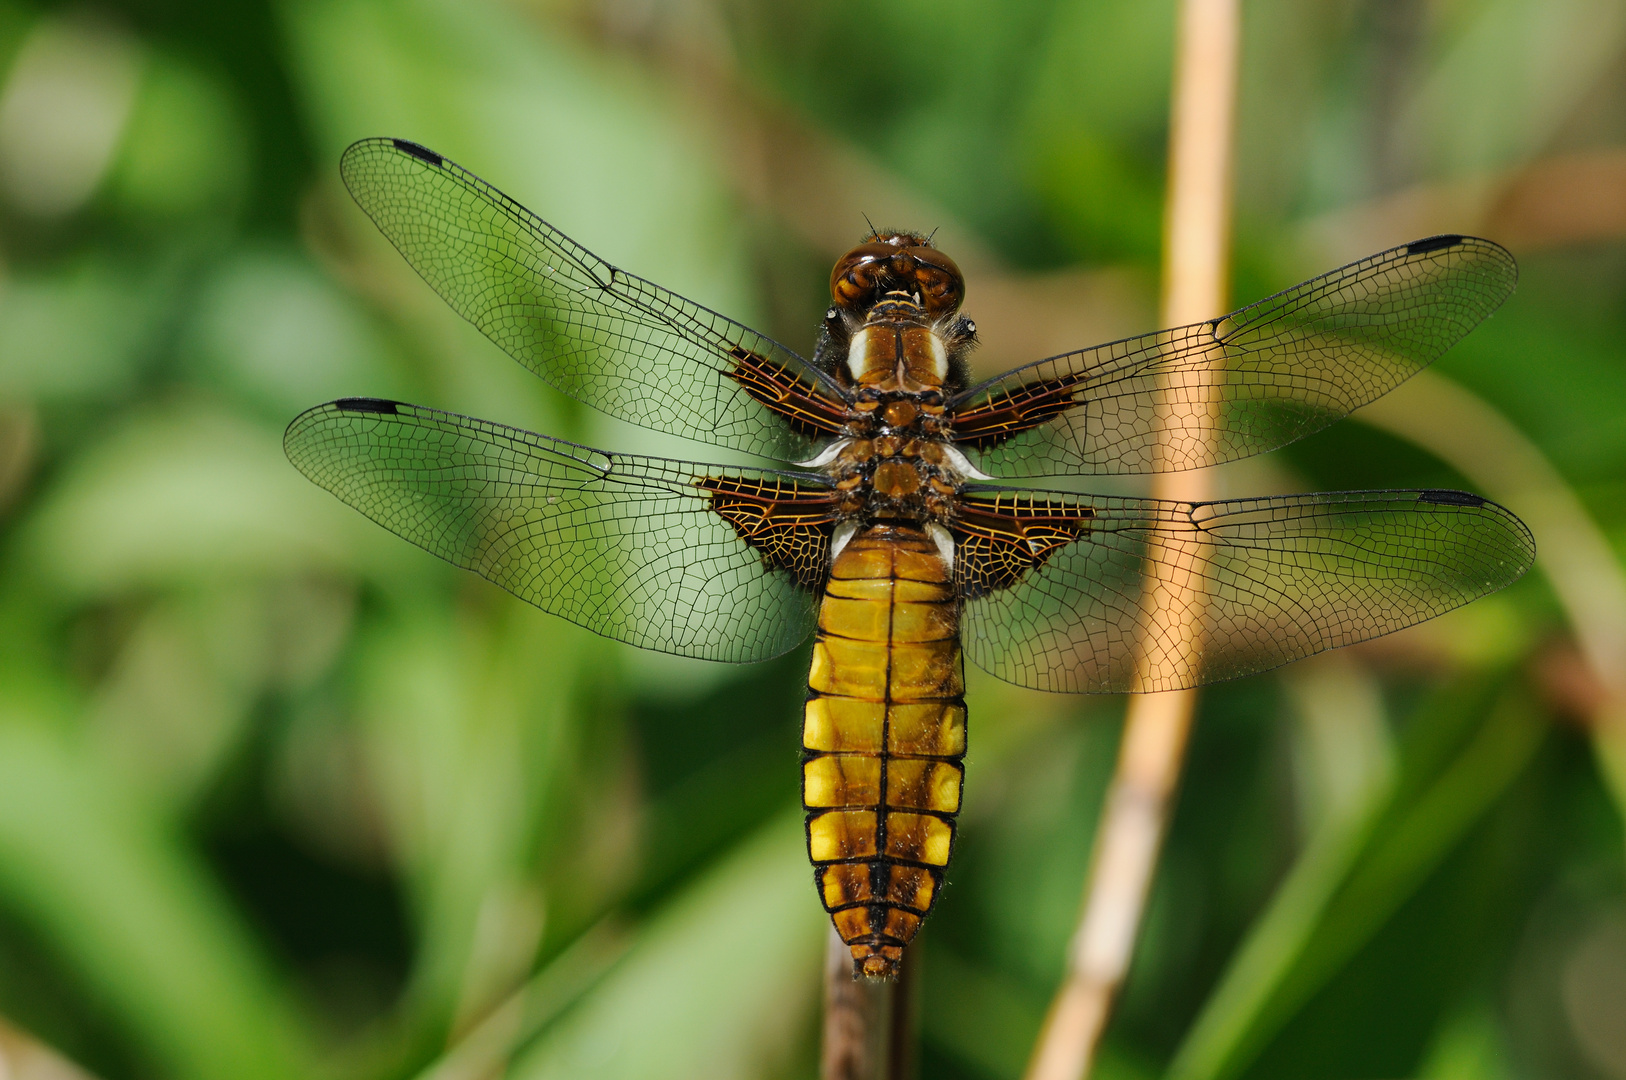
113, 892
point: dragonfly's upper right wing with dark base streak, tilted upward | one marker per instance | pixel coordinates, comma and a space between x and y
1248, 383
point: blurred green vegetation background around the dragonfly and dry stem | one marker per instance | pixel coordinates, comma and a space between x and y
284, 798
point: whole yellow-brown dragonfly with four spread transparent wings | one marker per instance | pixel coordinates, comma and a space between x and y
882, 518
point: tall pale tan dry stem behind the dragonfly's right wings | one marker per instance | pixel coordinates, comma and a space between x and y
1157, 726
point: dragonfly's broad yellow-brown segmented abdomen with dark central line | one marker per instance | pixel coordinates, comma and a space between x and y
882, 741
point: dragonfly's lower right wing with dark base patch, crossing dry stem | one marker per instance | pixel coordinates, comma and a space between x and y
1137, 594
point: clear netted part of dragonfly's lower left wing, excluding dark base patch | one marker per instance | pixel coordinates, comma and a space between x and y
624, 546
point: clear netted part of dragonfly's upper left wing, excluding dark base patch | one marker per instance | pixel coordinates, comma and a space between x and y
599, 334
